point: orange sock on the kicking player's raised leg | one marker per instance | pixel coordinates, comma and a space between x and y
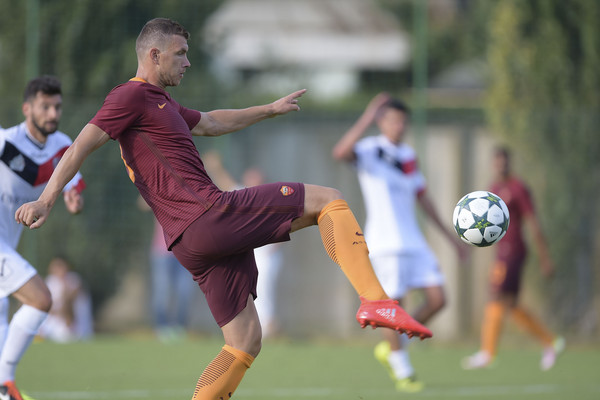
345, 243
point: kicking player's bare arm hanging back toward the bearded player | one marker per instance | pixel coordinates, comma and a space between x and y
35, 213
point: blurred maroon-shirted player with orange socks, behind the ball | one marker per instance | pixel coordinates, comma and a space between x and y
507, 270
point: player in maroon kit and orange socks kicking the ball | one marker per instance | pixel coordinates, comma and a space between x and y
211, 232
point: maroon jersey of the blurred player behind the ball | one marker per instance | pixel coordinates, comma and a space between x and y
518, 200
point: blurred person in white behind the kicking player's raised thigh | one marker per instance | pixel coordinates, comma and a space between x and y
269, 258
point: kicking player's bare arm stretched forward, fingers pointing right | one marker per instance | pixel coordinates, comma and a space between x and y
220, 122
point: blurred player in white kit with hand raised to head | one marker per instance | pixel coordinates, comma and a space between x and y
391, 183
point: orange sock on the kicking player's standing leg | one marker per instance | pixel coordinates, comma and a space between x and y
223, 375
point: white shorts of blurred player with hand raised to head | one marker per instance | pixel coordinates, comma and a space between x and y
399, 273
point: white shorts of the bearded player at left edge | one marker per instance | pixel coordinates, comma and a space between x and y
15, 271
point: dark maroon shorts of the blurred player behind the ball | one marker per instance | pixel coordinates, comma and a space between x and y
506, 273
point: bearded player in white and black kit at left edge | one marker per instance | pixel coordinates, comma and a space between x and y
28, 154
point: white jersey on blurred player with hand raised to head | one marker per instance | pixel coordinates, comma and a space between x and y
390, 182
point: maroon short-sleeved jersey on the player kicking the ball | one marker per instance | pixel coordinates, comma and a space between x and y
154, 133
